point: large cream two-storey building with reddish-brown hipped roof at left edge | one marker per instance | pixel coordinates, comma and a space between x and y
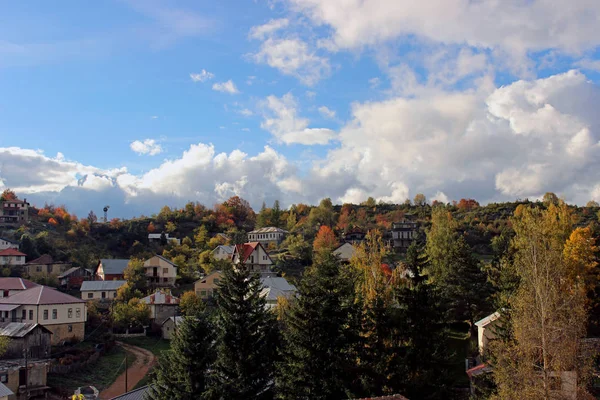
62, 314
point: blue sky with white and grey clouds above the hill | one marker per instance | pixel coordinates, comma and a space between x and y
138, 104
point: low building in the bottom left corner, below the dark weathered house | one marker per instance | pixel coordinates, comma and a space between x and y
25, 380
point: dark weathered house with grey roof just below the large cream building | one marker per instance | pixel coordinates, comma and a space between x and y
23, 336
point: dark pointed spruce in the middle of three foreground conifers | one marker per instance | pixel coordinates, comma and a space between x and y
246, 339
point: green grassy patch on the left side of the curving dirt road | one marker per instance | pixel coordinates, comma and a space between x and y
100, 374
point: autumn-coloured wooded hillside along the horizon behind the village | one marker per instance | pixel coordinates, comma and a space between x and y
82, 240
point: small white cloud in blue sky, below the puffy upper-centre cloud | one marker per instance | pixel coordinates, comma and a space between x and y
281, 119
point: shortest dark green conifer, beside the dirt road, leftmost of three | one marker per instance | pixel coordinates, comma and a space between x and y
181, 372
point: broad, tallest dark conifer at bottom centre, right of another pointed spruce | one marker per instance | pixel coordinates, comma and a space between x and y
319, 335
